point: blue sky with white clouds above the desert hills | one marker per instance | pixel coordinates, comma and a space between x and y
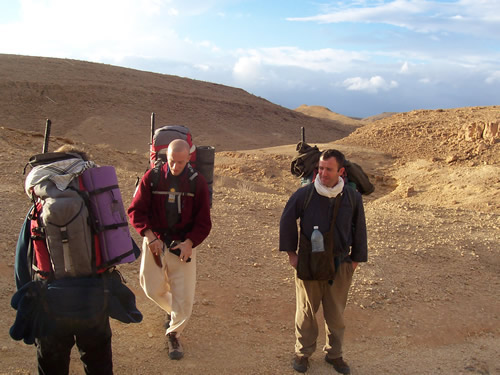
357, 58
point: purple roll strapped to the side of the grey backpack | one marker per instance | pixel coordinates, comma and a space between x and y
106, 206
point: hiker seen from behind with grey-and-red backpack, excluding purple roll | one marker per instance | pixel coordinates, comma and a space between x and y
66, 289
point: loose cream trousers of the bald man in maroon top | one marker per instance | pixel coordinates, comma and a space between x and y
171, 287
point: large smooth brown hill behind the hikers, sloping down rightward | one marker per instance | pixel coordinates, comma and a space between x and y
105, 104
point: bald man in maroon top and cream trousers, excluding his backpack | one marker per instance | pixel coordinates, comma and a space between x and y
171, 210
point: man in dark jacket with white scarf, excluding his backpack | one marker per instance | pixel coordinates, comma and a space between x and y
323, 278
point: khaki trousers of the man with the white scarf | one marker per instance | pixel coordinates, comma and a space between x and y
309, 295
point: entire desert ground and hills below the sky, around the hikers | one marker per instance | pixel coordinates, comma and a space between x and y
426, 302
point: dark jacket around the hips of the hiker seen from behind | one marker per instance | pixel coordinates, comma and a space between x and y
40, 305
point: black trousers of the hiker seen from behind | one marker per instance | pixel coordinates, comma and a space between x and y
93, 340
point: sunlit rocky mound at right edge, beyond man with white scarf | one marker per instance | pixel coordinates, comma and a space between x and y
455, 135
